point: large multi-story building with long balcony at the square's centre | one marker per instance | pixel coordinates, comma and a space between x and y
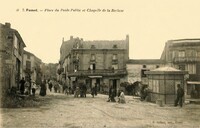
99, 62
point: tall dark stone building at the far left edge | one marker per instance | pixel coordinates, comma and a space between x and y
11, 57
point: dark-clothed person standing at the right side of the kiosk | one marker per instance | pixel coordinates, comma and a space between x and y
179, 98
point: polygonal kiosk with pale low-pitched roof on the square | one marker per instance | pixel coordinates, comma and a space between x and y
162, 84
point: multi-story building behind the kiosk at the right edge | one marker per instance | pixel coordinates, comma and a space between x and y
184, 54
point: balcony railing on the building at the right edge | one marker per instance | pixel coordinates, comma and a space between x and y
186, 59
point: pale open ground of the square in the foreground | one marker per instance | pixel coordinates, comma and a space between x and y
66, 111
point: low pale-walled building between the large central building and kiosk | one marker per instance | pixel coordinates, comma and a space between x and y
137, 67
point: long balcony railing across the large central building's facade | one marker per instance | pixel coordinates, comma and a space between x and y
102, 72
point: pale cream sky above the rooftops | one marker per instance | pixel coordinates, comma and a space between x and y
149, 23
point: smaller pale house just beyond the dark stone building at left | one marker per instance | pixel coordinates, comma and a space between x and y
32, 67
